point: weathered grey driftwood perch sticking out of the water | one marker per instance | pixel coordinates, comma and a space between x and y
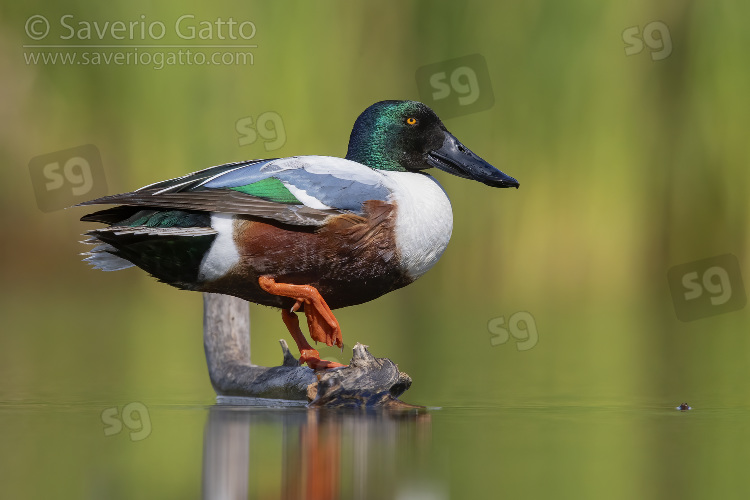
366, 382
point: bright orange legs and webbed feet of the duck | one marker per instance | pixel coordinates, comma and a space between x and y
320, 320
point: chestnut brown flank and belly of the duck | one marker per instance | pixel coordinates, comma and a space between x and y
350, 260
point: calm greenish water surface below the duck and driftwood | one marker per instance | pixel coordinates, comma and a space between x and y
229, 451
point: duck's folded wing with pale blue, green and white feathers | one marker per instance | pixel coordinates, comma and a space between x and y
303, 190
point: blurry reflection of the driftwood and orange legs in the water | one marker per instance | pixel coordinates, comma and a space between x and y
324, 454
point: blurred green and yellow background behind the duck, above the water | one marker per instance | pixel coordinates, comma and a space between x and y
628, 166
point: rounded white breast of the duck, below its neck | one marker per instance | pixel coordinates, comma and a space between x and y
424, 220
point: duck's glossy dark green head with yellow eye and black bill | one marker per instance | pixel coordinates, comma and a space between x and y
408, 136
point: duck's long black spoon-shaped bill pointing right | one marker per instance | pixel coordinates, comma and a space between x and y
455, 158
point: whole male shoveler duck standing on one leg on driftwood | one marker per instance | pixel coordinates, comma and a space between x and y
306, 233
